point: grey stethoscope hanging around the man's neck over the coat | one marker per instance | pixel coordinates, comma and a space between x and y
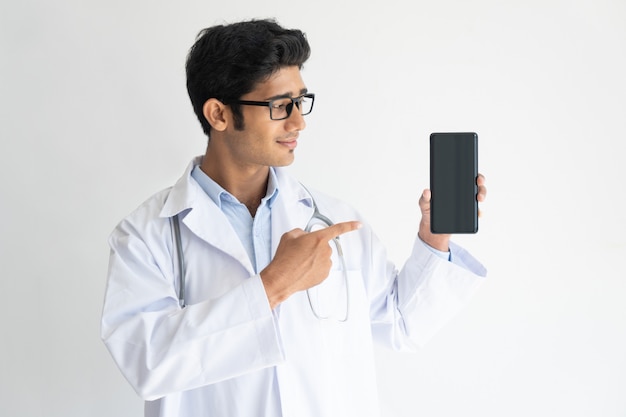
316, 219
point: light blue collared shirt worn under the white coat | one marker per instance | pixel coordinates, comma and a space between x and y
254, 232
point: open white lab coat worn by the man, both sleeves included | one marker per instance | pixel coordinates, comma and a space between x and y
227, 353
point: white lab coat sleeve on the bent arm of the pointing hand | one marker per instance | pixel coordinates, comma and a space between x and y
161, 348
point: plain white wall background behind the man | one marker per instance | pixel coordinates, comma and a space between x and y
94, 118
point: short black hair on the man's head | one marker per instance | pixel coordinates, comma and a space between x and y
227, 61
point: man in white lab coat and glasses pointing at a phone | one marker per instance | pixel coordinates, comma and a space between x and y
274, 320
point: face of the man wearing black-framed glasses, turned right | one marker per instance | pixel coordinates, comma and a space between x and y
262, 141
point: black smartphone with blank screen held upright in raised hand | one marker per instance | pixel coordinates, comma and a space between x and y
453, 172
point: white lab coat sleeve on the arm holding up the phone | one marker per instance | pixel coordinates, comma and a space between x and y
424, 295
